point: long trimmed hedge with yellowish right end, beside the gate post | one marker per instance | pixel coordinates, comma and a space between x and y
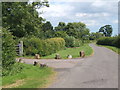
35, 45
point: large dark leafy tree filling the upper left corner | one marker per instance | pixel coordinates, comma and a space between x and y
21, 18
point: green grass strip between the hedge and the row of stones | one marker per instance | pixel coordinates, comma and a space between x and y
72, 51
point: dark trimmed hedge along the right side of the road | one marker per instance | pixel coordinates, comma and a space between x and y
110, 41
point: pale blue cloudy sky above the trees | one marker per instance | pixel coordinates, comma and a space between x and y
94, 13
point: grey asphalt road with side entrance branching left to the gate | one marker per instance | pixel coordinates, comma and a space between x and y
97, 71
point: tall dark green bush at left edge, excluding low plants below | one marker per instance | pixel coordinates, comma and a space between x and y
8, 50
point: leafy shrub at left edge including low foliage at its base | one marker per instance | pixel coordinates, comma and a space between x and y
9, 67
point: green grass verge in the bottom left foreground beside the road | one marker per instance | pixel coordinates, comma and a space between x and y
34, 77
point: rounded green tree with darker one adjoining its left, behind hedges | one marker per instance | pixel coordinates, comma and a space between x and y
75, 29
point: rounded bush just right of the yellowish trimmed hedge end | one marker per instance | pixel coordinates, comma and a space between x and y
70, 41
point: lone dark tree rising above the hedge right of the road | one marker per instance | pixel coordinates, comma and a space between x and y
107, 30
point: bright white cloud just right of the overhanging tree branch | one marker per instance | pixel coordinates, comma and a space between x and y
56, 10
